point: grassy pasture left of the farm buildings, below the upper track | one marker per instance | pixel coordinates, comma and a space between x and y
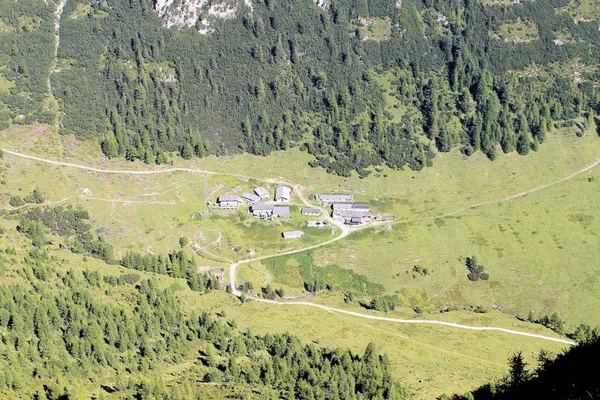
150, 213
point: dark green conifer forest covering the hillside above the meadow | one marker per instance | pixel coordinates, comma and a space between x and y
283, 74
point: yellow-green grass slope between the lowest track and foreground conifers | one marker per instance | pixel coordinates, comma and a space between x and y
428, 359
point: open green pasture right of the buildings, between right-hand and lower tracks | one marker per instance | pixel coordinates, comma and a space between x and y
540, 252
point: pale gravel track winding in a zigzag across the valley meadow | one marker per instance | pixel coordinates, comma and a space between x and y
345, 231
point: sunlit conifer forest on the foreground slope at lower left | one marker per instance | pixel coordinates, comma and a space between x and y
61, 340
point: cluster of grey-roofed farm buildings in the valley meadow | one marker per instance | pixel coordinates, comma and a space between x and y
343, 208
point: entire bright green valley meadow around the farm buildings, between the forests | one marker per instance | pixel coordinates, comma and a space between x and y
540, 250
